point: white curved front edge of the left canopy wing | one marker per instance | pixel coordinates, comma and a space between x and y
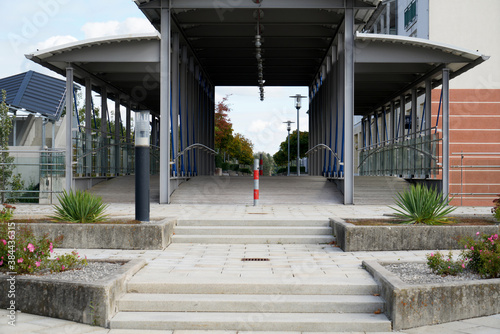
92, 41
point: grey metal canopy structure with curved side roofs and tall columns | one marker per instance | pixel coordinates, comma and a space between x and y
314, 43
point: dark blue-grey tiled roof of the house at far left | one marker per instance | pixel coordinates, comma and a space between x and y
35, 93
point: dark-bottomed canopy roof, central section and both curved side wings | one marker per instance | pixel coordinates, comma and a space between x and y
296, 40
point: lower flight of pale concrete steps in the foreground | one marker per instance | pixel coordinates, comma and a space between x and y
252, 305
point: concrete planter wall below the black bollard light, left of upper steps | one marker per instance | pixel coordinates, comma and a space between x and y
153, 235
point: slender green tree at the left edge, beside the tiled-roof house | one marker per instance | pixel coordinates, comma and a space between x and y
8, 180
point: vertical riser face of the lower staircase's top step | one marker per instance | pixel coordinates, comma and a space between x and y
264, 289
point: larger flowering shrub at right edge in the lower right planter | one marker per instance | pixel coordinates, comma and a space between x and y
483, 255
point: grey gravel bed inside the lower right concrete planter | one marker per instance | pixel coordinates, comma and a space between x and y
419, 273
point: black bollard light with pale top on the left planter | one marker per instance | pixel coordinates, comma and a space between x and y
142, 128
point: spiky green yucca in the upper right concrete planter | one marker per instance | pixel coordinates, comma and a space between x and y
422, 205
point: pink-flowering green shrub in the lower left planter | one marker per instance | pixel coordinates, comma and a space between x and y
28, 254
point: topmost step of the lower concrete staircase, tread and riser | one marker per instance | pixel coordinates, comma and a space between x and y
159, 284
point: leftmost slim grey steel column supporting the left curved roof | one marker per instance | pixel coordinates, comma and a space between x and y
69, 128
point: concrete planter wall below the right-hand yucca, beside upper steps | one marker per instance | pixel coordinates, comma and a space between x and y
352, 238
